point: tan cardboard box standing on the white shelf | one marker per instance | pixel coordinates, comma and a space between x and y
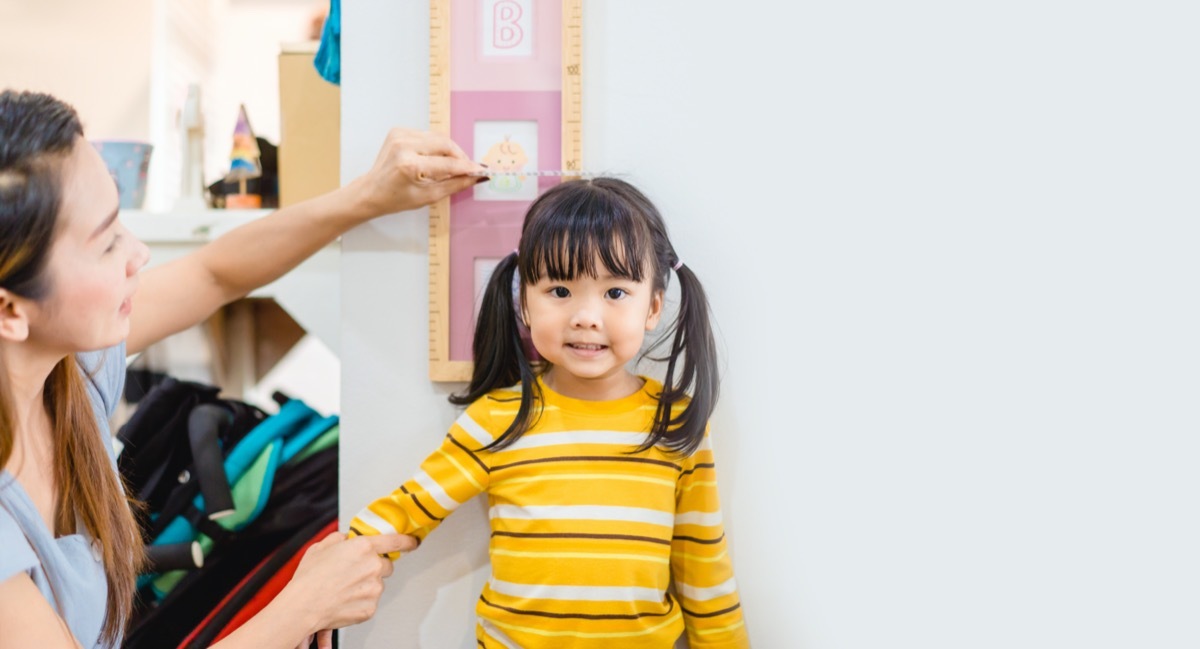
310, 127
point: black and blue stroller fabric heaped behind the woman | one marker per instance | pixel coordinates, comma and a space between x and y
175, 448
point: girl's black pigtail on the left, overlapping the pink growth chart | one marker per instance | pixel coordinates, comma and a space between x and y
500, 354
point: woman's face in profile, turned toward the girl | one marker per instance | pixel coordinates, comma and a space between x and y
93, 267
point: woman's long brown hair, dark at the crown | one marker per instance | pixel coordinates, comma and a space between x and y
37, 135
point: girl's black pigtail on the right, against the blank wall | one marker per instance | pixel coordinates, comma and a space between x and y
692, 338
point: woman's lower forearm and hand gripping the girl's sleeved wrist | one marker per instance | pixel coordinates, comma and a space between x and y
338, 584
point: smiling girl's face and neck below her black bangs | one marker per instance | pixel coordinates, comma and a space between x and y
589, 329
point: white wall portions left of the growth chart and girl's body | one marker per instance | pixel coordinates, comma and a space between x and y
392, 414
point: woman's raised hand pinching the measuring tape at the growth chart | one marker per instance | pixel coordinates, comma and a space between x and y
413, 170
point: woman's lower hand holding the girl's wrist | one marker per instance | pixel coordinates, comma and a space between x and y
339, 581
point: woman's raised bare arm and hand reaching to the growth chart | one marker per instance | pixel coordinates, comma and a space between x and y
413, 170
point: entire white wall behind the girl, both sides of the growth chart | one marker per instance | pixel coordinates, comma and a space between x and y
952, 250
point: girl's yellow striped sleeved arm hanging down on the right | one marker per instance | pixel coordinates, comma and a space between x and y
701, 567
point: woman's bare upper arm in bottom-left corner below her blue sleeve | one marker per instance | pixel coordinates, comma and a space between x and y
28, 620
